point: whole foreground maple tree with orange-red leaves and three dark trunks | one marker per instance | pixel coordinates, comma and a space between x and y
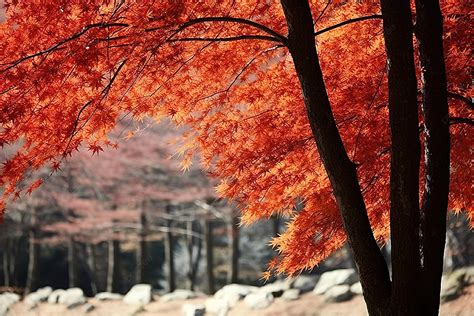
339, 128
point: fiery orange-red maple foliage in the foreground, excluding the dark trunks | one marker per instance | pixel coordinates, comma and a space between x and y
70, 70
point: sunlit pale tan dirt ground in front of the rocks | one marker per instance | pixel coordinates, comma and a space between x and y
308, 305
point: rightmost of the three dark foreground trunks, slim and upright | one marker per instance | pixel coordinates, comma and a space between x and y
429, 32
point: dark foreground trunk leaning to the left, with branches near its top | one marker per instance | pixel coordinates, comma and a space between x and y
342, 173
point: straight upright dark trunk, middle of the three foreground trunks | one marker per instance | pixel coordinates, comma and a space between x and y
405, 158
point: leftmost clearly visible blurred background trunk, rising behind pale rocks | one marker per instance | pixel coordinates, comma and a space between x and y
33, 256
